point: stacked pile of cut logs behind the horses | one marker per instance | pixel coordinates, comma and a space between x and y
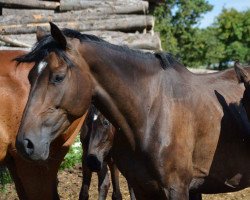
122, 22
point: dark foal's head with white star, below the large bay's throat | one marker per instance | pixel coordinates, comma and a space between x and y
101, 139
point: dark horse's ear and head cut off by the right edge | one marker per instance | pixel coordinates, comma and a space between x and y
243, 77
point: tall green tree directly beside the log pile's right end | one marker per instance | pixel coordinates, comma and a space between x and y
176, 20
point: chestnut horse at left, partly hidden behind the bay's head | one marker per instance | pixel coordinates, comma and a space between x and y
33, 181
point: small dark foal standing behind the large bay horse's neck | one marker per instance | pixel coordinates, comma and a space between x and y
97, 140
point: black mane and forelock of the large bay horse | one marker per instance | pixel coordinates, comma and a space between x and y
47, 44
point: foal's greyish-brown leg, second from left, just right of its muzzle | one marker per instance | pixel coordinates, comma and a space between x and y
103, 182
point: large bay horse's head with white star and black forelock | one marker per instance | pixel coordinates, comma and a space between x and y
56, 98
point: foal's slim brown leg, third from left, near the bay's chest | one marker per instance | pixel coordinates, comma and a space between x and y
116, 195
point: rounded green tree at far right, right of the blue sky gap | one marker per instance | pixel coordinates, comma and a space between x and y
233, 30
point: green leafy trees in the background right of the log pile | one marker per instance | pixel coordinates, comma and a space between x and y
216, 46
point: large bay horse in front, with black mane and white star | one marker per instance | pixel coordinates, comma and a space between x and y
177, 136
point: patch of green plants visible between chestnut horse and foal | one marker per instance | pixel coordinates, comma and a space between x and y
74, 156
